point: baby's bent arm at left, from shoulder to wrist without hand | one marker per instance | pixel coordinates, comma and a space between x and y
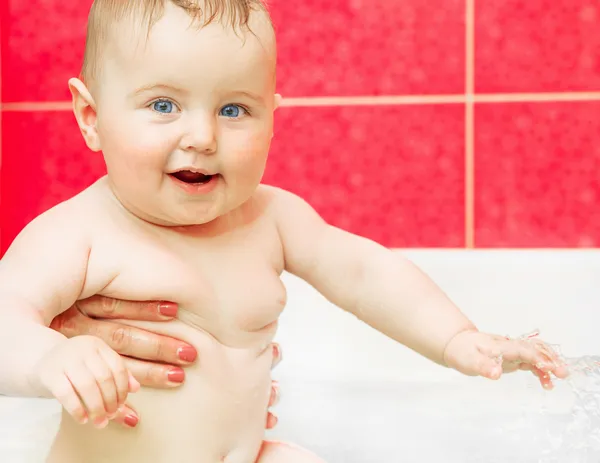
41, 275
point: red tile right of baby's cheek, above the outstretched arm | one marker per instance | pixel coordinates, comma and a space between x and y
393, 174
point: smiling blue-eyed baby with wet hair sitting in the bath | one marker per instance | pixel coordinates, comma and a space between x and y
179, 96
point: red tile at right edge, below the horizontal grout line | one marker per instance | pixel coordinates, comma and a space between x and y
537, 168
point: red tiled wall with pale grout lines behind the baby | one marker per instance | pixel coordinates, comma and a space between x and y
374, 133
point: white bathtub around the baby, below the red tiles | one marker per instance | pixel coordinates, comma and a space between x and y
351, 395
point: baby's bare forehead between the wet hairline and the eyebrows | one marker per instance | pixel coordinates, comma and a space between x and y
192, 58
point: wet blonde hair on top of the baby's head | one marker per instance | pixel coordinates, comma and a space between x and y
104, 14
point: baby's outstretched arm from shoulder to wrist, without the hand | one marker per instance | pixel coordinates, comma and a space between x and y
377, 285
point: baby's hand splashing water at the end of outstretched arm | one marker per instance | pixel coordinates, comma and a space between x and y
479, 354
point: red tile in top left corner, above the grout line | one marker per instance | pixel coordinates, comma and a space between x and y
42, 48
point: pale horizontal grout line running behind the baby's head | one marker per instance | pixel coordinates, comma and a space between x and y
391, 100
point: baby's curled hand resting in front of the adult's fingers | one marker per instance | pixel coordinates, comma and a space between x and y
87, 377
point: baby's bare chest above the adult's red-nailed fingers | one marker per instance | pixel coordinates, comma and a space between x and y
219, 285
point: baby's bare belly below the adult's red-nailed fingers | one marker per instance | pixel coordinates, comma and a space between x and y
217, 416
